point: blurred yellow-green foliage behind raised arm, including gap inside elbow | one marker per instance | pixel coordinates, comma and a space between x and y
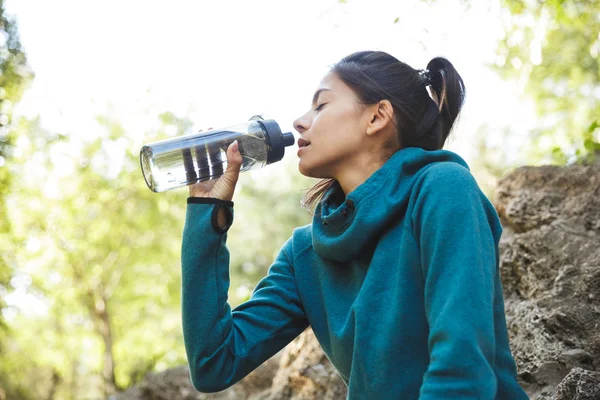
100, 253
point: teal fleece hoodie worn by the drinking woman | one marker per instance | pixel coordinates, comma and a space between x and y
399, 281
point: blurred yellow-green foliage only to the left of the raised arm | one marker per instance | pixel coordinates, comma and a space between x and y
102, 254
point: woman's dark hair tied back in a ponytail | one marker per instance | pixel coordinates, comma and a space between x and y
422, 120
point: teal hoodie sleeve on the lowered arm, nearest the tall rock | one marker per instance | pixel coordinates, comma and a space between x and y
451, 221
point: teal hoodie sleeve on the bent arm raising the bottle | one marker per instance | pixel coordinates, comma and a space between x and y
224, 345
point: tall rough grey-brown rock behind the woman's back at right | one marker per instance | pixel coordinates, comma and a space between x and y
550, 266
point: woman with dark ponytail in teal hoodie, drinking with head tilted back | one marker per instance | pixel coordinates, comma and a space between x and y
398, 272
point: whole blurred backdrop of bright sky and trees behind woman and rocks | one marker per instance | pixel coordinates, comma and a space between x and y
90, 257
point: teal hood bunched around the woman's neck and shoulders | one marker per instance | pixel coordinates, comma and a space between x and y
344, 227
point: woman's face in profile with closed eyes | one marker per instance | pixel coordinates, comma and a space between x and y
332, 132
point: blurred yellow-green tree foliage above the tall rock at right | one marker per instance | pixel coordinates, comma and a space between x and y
552, 48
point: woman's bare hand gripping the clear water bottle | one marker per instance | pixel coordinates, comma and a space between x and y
223, 187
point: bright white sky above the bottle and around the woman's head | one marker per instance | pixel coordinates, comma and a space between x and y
221, 62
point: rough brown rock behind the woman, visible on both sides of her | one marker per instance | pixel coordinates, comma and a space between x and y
550, 266
